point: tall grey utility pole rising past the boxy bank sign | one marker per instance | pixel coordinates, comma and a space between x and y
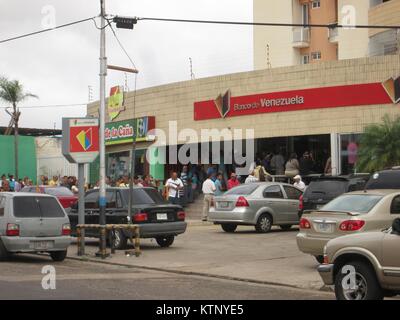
103, 74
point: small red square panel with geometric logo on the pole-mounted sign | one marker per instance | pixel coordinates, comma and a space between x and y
84, 139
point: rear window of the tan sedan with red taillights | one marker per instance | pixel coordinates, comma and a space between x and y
353, 203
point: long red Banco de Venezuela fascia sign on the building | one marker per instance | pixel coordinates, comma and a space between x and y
318, 98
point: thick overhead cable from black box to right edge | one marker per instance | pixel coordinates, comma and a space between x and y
268, 24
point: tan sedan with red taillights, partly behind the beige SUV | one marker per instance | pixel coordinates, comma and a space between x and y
350, 213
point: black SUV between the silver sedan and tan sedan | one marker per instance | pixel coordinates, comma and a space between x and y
323, 189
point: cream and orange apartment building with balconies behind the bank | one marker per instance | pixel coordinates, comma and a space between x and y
286, 46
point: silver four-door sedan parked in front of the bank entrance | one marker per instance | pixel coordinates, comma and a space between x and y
260, 204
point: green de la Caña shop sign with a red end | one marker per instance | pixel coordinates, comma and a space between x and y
124, 131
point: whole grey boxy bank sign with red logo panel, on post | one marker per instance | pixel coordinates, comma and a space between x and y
80, 142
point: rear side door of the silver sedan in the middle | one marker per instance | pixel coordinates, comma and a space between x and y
274, 199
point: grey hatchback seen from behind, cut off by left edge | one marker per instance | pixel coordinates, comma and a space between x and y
32, 223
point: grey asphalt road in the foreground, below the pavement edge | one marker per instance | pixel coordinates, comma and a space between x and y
21, 278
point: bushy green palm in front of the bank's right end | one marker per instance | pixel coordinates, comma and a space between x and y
380, 146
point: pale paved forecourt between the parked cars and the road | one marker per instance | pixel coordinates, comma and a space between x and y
206, 250
